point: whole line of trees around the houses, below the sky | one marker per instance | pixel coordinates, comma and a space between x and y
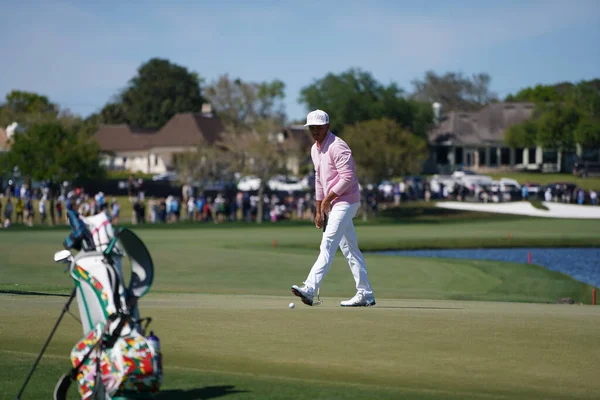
386, 125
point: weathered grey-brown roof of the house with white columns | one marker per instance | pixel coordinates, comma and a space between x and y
485, 126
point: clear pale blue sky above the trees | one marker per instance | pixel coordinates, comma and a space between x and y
80, 53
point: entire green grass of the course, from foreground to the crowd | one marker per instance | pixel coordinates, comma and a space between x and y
219, 305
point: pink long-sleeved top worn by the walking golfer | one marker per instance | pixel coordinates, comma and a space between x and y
334, 170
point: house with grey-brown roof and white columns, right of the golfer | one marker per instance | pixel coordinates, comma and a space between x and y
475, 140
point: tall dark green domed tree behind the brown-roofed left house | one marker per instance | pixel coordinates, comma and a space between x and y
160, 90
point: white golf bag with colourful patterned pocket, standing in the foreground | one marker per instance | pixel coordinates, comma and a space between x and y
114, 359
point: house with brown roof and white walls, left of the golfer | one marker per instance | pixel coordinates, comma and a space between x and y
154, 151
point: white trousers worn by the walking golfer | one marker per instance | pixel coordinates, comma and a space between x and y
340, 232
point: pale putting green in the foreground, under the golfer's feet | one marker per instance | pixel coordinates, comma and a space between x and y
258, 348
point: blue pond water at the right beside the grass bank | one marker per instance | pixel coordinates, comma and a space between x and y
583, 264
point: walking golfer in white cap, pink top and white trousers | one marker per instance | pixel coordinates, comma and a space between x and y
338, 200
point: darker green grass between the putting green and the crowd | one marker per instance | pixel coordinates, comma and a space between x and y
243, 260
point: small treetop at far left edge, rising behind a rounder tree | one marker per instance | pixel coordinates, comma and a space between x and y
27, 107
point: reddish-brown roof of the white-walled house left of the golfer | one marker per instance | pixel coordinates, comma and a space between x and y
183, 130
